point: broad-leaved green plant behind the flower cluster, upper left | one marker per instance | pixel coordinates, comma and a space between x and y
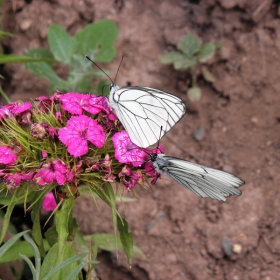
95, 40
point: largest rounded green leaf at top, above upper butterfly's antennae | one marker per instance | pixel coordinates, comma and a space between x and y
97, 39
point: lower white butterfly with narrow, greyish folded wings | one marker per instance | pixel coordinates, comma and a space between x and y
203, 181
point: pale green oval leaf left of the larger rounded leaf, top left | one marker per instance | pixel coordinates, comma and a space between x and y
62, 45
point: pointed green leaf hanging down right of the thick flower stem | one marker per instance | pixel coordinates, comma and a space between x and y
126, 238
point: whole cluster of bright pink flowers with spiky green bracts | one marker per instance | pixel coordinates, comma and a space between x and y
79, 125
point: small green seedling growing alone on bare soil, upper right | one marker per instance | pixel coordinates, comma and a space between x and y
191, 56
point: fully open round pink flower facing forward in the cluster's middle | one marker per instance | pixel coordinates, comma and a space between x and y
78, 132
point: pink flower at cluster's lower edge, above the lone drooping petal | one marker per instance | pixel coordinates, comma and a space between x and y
54, 171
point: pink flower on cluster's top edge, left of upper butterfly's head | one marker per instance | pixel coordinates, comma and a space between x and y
76, 103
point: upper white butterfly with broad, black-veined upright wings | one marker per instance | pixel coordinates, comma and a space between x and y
143, 111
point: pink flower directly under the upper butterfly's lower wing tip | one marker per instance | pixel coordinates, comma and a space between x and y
126, 151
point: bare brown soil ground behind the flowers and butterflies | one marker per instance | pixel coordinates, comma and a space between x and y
184, 236
